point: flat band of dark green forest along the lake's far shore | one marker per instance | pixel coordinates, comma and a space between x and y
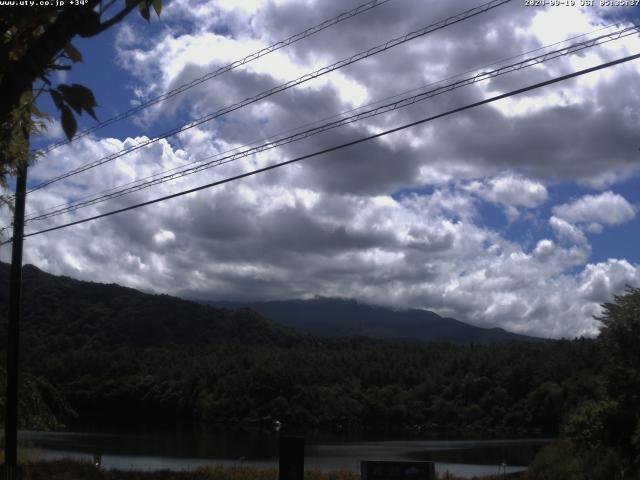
337, 384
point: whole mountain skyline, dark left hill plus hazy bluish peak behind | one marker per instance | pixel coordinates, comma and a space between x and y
61, 313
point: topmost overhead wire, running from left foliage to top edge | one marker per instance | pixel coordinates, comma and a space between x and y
224, 69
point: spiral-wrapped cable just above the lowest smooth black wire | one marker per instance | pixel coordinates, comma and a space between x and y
404, 102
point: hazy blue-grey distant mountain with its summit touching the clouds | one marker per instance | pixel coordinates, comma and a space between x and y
343, 318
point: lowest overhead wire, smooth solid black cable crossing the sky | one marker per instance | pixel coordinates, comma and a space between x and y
341, 146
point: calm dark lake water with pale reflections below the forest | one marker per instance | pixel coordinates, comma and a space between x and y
186, 448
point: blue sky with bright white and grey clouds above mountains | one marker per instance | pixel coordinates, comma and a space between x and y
519, 214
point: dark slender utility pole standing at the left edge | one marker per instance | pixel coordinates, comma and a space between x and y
13, 337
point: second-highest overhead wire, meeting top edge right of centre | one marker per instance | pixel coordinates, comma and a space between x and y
285, 86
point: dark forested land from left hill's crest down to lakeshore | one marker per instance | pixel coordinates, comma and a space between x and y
108, 351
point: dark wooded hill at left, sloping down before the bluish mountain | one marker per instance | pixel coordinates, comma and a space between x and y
60, 314
